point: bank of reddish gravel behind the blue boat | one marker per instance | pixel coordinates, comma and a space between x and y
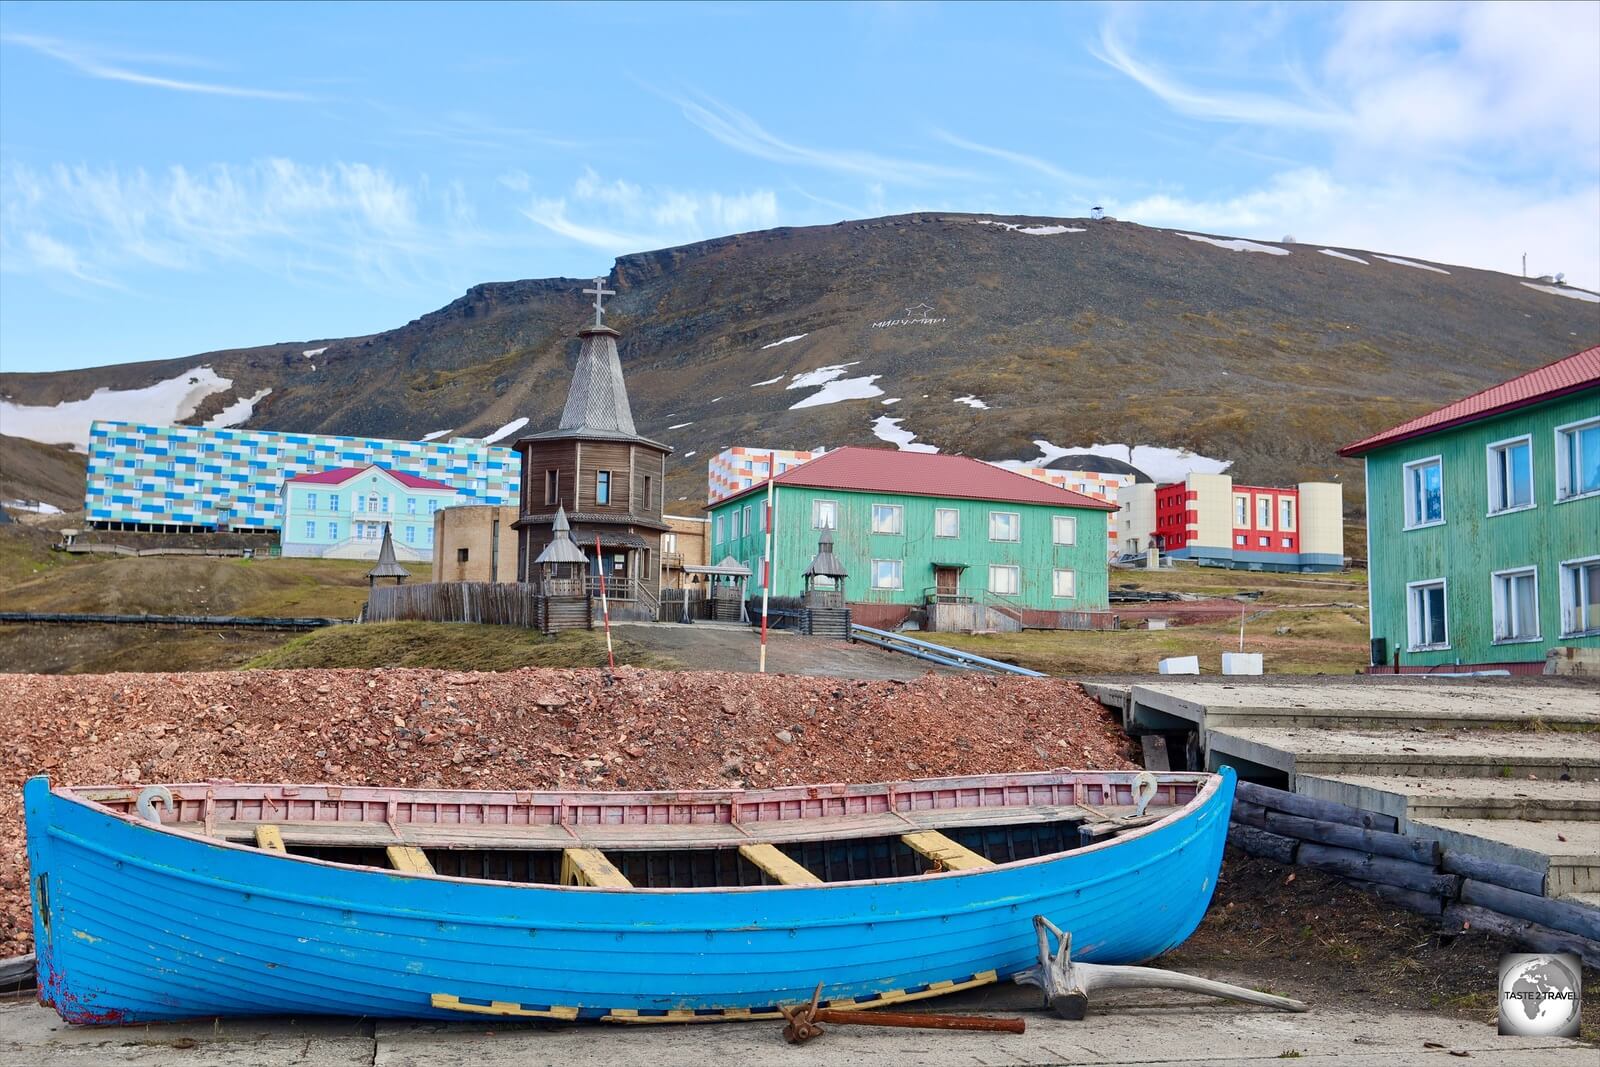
524, 730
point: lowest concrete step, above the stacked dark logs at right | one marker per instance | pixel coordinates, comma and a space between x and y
1569, 853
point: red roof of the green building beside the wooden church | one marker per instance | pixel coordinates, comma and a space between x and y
924, 474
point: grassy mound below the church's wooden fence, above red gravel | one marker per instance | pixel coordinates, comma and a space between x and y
452, 647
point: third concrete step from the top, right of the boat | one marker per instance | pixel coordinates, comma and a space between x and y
1457, 797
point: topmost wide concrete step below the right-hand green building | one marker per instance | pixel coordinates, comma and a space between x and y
1218, 706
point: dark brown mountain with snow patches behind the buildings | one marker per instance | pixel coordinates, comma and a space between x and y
988, 334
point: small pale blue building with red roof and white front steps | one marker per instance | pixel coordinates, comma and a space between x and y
340, 514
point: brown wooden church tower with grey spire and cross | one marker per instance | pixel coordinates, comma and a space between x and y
607, 479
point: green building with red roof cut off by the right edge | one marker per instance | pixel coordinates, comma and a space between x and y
1484, 526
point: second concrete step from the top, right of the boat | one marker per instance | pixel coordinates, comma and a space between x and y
1412, 754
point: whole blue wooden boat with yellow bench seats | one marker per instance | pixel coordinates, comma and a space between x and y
230, 900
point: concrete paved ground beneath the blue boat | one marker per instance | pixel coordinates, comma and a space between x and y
1166, 1029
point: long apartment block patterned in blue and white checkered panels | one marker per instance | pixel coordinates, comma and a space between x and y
201, 479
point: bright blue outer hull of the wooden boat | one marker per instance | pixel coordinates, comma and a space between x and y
135, 924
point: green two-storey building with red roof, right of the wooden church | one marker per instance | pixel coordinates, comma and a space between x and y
919, 529
